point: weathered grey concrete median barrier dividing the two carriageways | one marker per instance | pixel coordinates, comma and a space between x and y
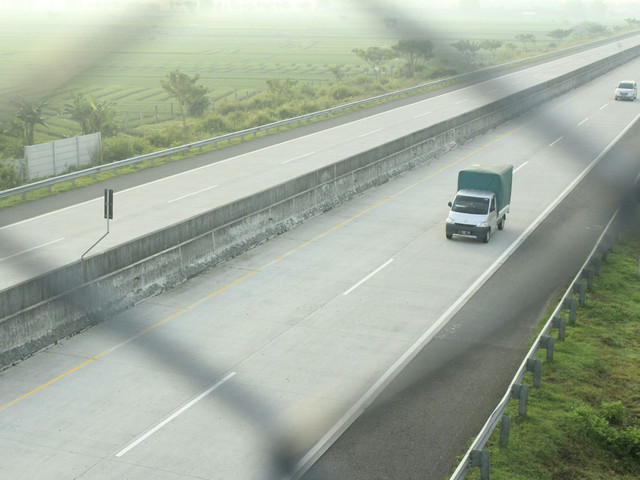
41, 311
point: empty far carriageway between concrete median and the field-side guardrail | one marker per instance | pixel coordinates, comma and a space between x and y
36, 245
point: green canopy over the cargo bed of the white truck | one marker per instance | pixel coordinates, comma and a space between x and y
494, 178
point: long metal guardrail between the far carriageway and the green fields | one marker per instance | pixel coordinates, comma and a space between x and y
23, 189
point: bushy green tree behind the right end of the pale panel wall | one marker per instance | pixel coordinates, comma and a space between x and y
92, 115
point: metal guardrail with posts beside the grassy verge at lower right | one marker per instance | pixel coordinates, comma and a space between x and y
475, 455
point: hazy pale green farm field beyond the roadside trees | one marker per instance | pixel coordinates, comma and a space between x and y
122, 59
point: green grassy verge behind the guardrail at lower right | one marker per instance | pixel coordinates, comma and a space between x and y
584, 421
